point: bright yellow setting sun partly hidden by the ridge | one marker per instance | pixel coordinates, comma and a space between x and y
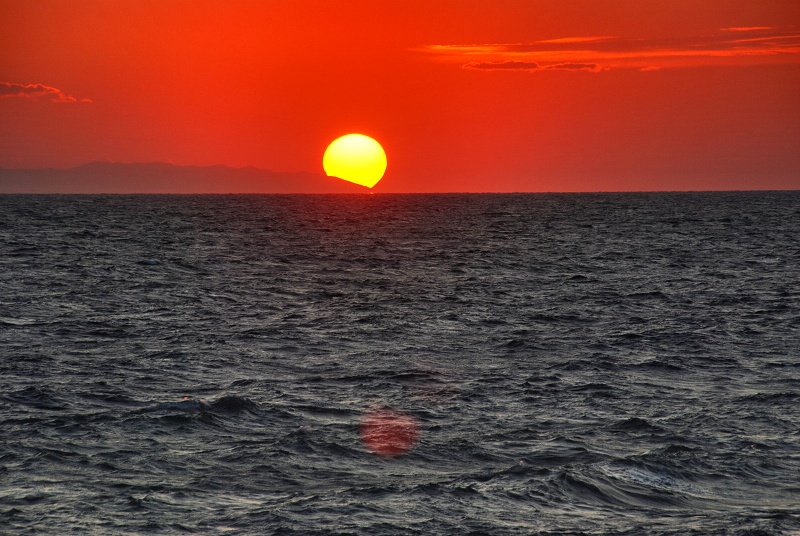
356, 158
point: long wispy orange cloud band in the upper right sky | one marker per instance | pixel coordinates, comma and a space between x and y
753, 45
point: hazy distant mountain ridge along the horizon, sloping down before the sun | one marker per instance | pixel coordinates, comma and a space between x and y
164, 178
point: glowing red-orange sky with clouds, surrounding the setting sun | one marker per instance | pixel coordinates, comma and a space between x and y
464, 95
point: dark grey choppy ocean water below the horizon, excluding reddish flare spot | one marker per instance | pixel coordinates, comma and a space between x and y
597, 364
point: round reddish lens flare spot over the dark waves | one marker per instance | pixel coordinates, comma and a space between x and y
388, 432
